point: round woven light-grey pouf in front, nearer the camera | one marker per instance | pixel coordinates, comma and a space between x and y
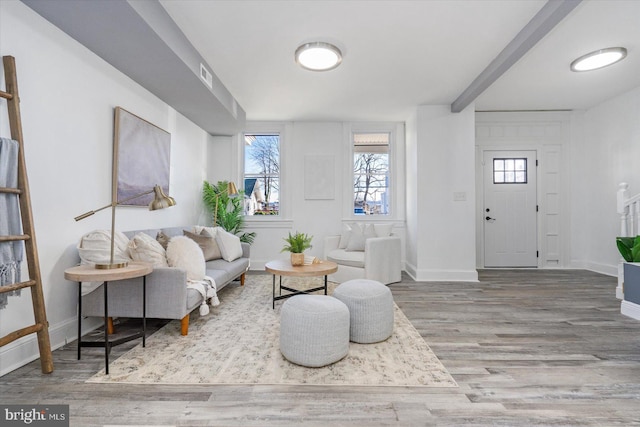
314, 330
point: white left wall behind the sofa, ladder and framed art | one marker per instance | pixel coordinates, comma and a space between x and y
68, 95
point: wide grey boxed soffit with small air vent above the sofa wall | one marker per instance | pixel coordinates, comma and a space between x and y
140, 39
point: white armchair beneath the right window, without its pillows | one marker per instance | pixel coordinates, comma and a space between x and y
379, 261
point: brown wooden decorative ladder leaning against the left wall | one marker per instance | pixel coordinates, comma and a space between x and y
41, 326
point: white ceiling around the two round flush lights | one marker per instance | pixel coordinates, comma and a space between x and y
401, 54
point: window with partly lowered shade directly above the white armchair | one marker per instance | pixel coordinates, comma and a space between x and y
371, 173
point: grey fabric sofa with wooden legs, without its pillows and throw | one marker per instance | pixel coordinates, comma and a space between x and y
167, 293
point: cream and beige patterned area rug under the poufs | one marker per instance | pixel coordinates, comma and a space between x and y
238, 343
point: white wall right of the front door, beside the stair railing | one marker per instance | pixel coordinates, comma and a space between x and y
604, 153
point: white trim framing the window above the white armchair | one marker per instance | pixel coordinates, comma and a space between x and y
396, 162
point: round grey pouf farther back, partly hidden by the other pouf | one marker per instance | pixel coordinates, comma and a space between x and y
371, 309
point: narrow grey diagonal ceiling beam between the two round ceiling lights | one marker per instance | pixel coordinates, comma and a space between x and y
540, 25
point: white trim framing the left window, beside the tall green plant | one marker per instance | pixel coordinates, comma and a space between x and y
283, 129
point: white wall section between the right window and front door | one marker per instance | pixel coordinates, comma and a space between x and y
440, 162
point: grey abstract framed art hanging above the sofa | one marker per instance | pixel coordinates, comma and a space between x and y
141, 158
